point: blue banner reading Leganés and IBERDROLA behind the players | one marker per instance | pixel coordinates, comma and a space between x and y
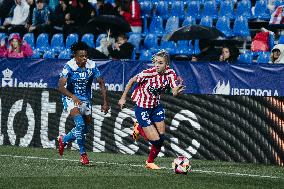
199, 78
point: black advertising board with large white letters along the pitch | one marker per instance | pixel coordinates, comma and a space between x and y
213, 127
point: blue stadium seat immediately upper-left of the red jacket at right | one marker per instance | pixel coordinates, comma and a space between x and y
241, 28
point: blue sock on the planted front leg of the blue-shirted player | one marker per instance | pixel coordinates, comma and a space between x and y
80, 137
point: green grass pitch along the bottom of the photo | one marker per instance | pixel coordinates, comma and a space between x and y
42, 168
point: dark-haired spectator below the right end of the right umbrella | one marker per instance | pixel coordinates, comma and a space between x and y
229, 53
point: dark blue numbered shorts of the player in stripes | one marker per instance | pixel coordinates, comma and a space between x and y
148, 116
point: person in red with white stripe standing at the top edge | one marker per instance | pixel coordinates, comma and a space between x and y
130, 10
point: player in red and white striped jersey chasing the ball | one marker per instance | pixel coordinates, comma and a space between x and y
149, 113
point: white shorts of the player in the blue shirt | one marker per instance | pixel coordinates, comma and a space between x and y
84, 108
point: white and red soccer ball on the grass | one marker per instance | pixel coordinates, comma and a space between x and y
181, 165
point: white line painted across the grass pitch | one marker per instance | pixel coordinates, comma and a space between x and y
135, 165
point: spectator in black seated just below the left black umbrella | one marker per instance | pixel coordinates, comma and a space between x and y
122, 48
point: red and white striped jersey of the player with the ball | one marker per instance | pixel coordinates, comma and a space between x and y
151, 84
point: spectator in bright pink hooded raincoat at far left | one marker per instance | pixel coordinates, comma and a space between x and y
17, 48
